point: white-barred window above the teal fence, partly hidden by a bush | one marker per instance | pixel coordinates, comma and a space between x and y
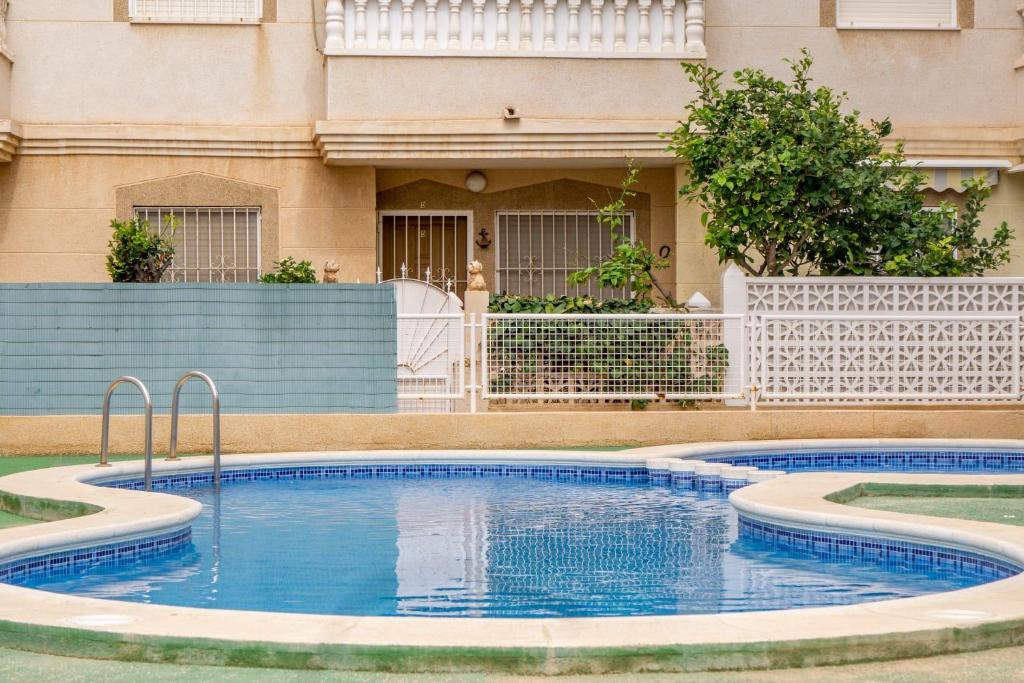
211, 244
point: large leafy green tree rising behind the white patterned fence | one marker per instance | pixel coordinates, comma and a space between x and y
791, 184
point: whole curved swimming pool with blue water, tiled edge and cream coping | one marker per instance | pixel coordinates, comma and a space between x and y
787, 525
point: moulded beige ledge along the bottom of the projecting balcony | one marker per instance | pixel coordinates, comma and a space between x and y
495, 144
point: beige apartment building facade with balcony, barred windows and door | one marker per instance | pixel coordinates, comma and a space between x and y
424, 134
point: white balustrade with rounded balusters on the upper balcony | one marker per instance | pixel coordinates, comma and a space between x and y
672, 29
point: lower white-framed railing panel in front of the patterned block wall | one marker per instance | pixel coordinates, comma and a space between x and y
886, 358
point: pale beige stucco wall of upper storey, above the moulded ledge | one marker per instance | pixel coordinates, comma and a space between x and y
272, 74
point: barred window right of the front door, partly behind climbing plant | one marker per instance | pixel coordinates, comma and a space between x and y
537, 251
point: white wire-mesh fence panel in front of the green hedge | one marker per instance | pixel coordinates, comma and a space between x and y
627, 357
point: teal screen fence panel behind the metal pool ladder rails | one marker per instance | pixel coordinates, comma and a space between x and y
271, 349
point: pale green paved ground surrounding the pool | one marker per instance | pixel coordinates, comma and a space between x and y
1001, 665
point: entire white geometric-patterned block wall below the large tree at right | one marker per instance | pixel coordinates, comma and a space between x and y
882, 339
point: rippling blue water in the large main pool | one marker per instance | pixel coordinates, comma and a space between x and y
482, 547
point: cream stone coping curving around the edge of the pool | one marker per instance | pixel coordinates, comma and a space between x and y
987, 616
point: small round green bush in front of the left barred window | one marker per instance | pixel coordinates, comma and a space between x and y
138, 253
